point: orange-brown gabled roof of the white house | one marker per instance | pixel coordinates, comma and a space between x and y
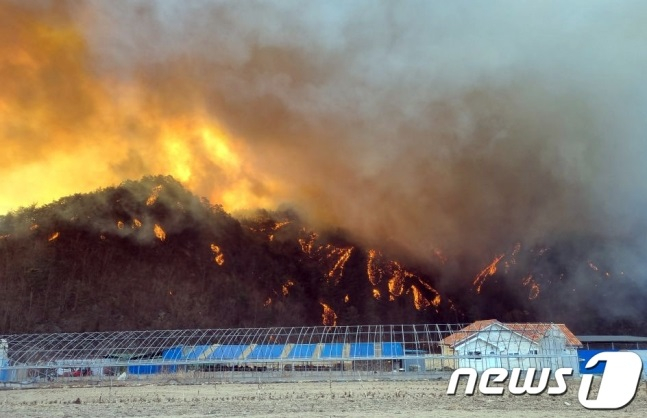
533, 331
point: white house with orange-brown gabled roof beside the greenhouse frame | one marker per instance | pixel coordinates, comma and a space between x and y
490, 343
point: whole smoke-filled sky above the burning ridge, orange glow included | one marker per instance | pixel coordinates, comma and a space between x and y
460, 127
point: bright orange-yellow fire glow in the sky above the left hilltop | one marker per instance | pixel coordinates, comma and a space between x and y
81, 128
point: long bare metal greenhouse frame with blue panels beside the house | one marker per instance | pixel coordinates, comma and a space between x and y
282, 353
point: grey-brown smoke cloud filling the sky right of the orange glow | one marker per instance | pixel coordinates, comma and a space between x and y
456, 126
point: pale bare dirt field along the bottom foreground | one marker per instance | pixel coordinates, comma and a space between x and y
306, 399
